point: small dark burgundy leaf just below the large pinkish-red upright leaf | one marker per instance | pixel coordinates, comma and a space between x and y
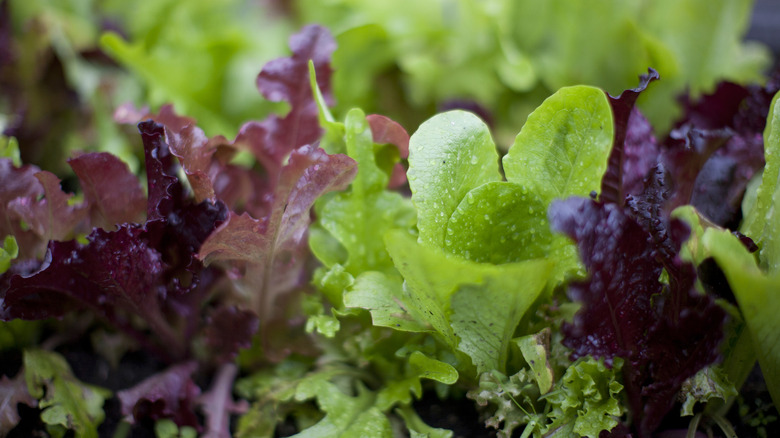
230, 329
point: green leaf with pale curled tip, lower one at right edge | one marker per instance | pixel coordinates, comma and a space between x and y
758, 296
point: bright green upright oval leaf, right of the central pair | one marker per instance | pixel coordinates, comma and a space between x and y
563, 148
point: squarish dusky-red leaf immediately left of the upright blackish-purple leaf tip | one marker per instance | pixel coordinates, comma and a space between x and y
112, 192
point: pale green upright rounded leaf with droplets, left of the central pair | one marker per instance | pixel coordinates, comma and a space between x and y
449, 155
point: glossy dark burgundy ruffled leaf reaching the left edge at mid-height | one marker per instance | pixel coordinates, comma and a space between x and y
116, 274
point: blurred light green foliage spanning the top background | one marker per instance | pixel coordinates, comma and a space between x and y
67, 65
